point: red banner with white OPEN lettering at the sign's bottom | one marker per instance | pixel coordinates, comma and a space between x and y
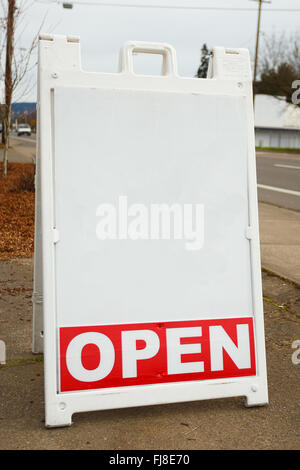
95, 357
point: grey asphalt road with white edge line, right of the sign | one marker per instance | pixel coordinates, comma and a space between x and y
278, 177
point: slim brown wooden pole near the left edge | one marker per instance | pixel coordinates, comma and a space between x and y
8, 78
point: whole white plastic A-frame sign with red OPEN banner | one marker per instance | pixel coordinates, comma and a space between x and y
139, 310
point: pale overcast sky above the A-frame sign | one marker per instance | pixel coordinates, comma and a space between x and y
104, 29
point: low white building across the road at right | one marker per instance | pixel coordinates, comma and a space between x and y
277, 123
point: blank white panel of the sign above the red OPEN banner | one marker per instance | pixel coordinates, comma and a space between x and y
150, 148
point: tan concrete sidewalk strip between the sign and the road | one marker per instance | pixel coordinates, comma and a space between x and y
280, 241
